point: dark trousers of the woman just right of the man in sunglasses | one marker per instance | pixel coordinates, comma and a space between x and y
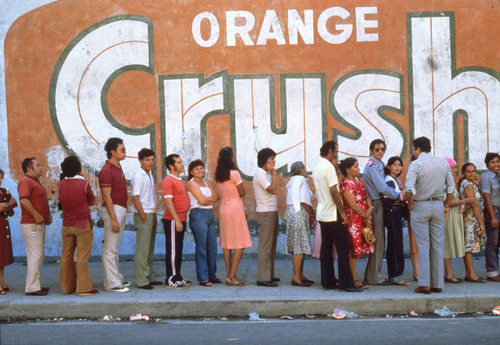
395, 254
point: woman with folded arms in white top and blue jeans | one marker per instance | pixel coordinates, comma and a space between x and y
202, 198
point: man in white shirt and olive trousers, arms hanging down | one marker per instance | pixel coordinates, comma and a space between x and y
143, 197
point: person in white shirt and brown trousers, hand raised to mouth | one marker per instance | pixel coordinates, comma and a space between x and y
264, 186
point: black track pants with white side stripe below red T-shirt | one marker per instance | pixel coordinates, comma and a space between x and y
174, 242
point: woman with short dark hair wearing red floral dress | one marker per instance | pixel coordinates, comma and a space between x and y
358, 207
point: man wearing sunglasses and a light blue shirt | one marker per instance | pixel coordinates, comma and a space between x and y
376, 187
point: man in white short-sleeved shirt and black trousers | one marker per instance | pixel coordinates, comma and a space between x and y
332, 229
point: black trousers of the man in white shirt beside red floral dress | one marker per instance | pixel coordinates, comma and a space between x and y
330, 232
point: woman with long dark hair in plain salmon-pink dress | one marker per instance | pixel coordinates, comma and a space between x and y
234, 233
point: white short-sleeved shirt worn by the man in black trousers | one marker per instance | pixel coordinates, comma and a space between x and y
325, 177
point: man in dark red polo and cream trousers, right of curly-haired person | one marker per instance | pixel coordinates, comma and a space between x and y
114, 211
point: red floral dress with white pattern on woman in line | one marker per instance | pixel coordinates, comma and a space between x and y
356, 239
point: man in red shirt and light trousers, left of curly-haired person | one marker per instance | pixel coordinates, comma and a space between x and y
35, 216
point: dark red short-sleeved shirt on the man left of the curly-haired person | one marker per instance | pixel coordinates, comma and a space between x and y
30, 188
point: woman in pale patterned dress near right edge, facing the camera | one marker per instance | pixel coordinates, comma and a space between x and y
473, 220
